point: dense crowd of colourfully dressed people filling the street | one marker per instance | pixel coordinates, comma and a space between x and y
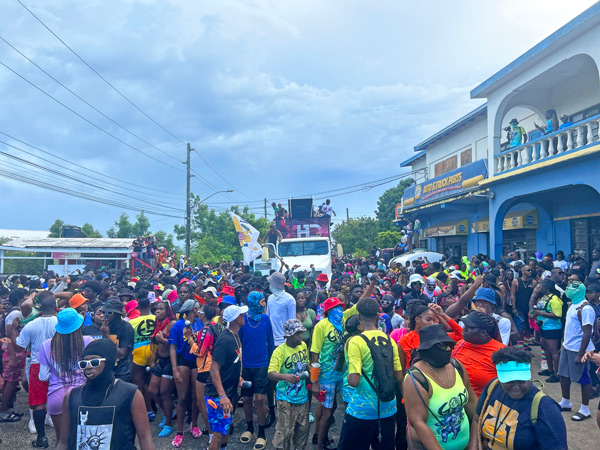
423, 355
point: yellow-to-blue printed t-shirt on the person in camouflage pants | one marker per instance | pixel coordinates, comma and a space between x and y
288, 360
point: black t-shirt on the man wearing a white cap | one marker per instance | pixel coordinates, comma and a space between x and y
227, 353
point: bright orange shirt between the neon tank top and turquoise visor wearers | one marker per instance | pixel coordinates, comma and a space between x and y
477, 359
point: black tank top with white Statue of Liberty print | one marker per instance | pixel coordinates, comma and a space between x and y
108, 426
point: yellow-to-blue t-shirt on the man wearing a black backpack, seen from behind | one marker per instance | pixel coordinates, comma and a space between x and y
363, 403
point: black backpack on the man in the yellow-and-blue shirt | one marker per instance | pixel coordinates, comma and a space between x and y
384, 378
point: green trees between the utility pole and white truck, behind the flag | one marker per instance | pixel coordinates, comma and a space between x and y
213, 236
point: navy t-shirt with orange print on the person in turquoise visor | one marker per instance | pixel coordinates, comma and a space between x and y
512, 421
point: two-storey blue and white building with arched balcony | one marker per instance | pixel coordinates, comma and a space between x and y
521, 171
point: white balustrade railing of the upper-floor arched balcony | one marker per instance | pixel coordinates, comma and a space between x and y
578, 135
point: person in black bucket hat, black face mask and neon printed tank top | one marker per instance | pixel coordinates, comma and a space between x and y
437, 388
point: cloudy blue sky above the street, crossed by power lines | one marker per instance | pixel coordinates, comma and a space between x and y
278, 98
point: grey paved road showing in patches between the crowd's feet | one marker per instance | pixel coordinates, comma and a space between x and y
582, 436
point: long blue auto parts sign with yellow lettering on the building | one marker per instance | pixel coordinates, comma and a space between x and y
451, 183
